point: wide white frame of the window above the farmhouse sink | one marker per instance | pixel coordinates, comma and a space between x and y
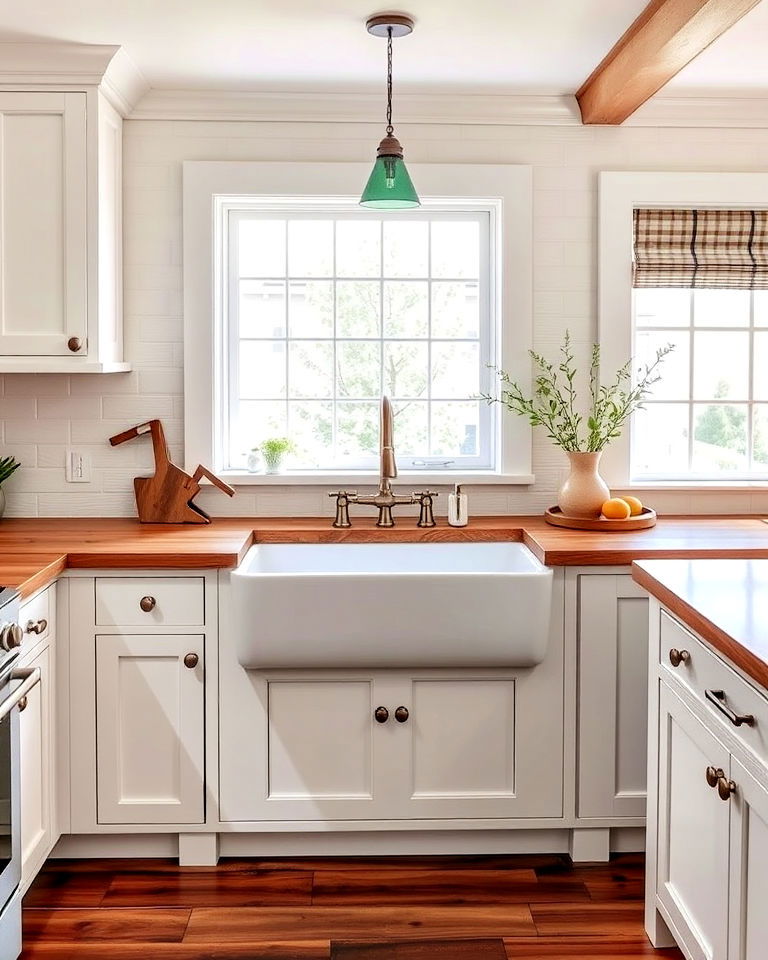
210, 188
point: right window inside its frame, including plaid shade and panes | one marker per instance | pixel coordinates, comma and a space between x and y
701, 284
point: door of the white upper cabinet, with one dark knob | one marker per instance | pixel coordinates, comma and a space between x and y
42, 223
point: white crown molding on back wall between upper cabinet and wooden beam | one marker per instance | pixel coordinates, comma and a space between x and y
348, 107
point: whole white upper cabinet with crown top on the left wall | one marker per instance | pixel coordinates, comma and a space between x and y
60, 210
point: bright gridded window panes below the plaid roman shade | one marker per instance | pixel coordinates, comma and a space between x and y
708, 417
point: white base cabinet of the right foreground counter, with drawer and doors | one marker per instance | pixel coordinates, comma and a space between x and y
707, 855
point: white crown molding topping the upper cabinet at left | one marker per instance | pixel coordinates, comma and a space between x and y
74, 64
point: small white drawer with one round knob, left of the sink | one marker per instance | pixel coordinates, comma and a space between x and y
150, 601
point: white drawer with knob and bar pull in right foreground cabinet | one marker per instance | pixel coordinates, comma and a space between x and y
702, 671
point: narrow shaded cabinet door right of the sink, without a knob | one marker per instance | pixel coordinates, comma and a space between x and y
613, 696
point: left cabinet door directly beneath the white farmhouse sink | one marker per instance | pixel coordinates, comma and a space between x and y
314, 746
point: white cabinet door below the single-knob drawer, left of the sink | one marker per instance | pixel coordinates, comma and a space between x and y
149, 729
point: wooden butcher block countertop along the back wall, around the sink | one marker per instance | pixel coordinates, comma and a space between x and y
34, 552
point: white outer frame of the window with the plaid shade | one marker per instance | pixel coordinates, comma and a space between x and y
620, 193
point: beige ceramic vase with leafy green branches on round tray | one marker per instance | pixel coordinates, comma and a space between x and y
553, 405
